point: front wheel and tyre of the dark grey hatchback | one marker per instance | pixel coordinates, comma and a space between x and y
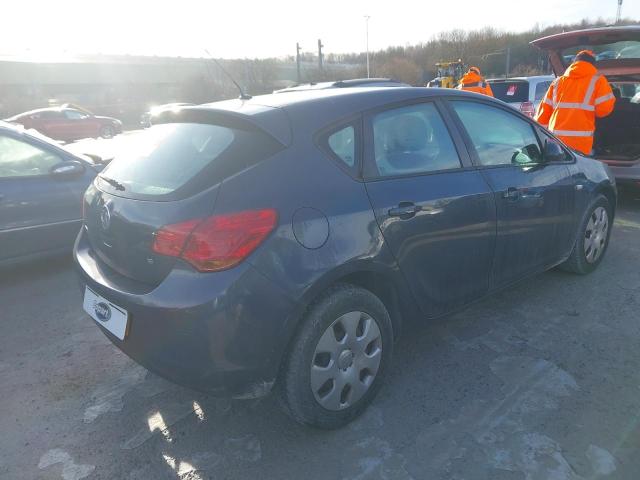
592, 239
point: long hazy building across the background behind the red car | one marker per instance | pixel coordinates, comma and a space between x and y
125, 86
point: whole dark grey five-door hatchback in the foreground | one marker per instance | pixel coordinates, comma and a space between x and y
284, 241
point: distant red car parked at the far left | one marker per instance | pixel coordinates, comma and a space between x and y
67, 124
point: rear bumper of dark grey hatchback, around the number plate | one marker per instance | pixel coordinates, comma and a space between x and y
222, 333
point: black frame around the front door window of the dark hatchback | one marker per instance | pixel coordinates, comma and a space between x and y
473, 154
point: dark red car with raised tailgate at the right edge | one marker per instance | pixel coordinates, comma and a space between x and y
617, 137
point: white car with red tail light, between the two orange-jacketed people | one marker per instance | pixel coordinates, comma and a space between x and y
522, 93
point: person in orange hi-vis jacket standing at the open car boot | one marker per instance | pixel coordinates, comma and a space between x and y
573, 102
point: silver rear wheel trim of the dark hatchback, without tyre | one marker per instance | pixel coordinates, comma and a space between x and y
346, 360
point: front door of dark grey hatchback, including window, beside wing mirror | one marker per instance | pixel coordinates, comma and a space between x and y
535, 200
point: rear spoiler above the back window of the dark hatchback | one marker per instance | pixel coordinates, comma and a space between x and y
272, 121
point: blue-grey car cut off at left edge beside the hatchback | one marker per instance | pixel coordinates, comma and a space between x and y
41, 189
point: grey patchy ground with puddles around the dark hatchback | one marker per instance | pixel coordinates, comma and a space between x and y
538, 382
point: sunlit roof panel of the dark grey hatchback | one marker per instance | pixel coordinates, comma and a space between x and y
307, 111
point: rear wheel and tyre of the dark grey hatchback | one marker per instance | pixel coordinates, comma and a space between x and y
346, 337
